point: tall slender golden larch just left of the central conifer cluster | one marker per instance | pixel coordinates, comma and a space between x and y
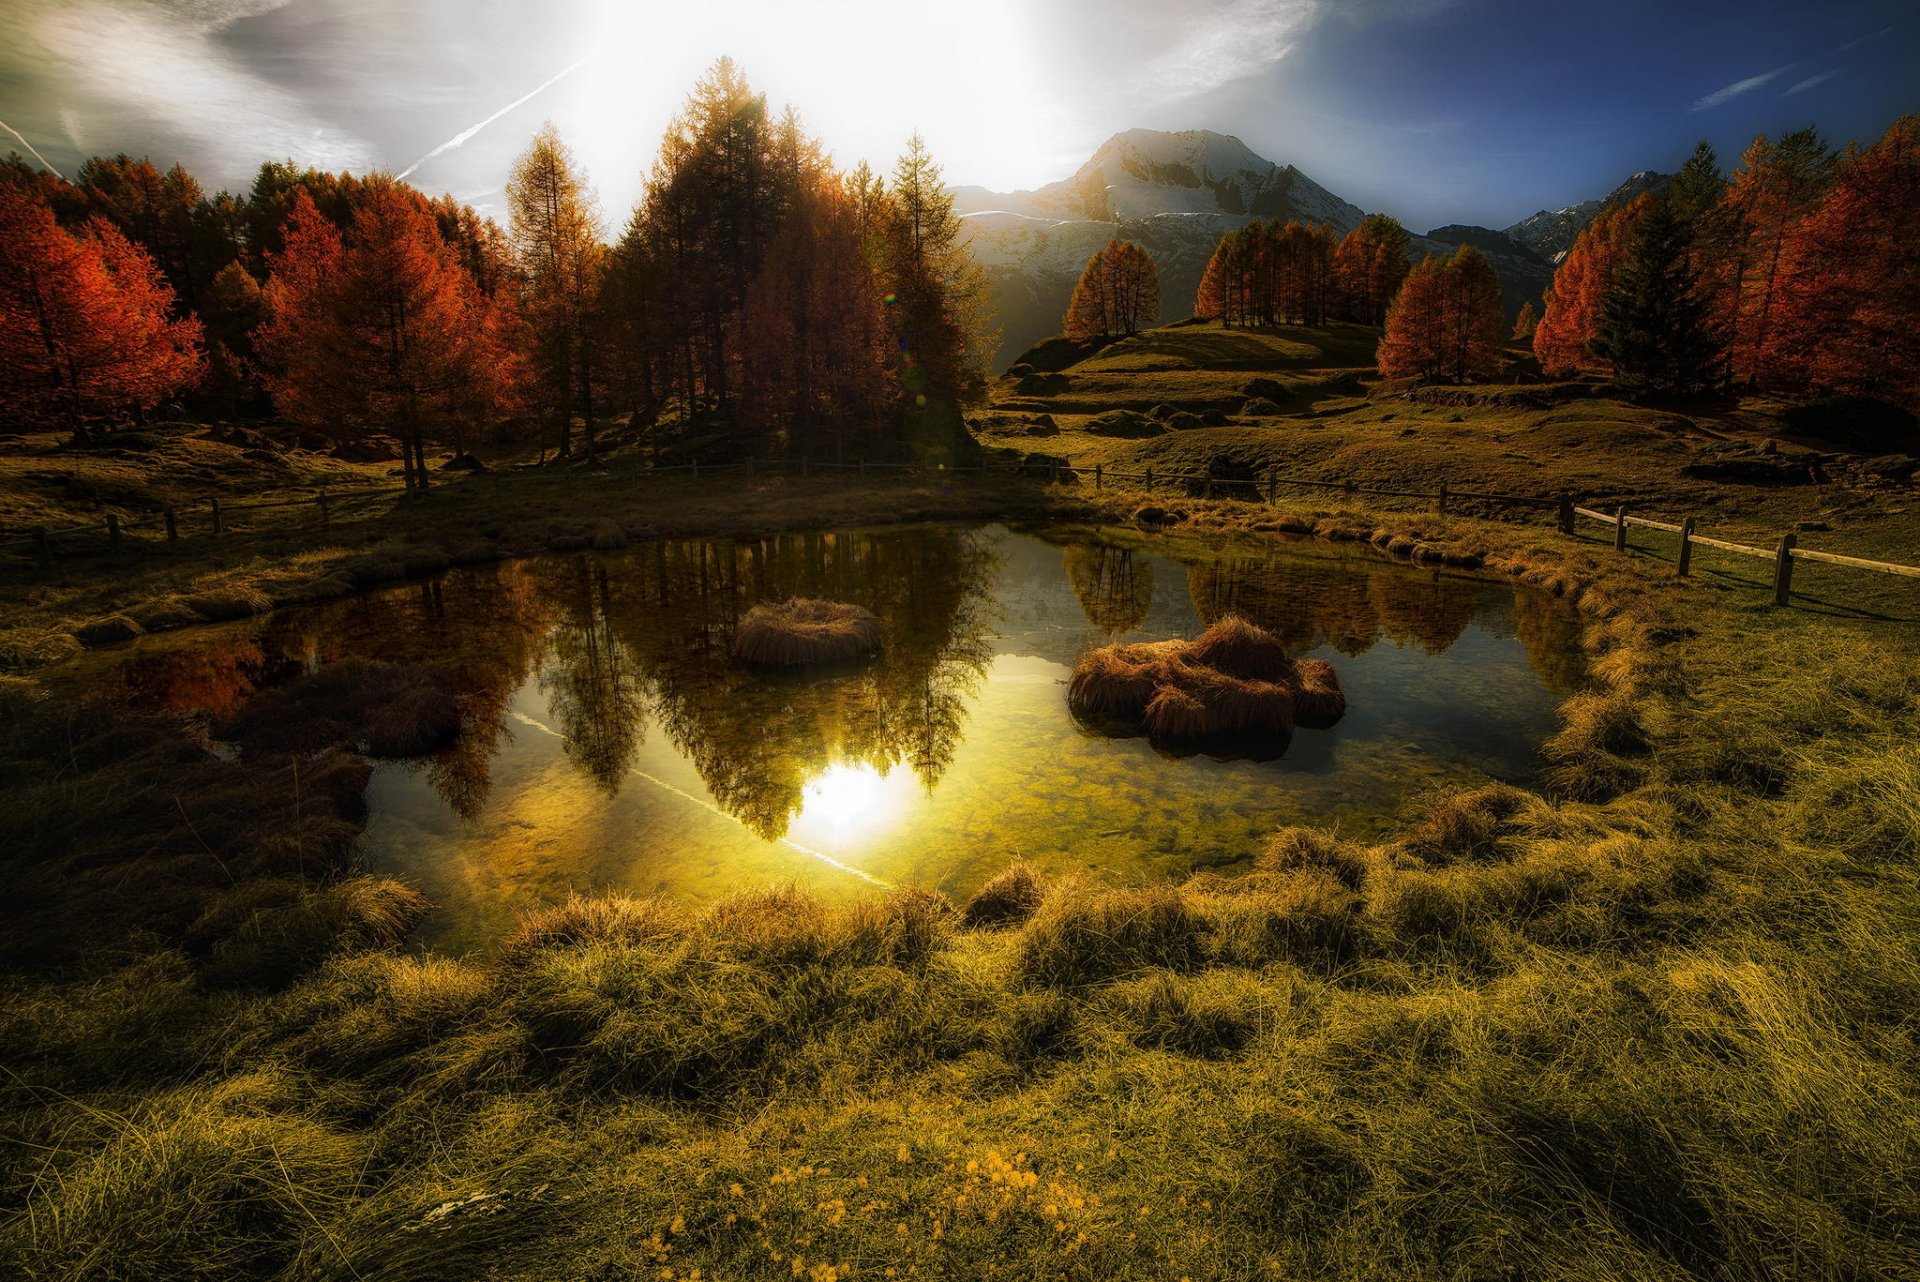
560, 247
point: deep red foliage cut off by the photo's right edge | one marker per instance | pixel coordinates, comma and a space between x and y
1846, 312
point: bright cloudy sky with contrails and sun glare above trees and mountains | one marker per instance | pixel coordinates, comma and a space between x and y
1429, 110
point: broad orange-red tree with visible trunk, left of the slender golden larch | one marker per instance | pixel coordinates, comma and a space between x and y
379, 327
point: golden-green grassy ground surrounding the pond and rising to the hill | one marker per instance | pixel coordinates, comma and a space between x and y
1654, 1022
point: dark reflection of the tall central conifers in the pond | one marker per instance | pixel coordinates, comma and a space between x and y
650, 634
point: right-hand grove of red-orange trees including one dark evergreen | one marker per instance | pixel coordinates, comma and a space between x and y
1794, 275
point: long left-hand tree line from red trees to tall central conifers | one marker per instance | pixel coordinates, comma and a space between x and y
757, 300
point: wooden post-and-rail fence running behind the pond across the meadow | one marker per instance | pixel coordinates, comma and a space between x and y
1568, 511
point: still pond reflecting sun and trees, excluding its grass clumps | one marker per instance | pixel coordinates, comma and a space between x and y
613, 744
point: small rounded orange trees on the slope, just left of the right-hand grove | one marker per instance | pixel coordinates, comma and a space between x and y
1445, 321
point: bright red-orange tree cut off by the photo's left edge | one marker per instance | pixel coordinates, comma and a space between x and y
85, 325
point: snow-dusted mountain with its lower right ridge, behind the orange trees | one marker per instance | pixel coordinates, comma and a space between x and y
1172, 193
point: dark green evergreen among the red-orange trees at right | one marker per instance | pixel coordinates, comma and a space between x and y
1656, 325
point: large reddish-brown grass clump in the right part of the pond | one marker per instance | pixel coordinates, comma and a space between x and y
1234, 680
